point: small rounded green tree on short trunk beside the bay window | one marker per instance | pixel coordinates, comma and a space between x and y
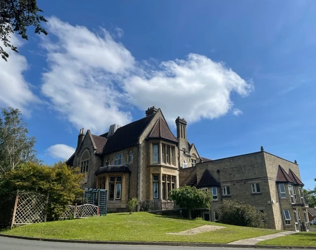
191, 198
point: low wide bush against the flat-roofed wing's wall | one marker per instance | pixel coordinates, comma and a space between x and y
241, 214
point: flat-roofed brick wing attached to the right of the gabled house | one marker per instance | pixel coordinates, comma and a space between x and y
261, 179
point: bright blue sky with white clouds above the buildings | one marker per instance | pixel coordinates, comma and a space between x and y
242, 73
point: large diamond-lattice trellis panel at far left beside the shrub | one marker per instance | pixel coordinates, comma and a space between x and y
29, 208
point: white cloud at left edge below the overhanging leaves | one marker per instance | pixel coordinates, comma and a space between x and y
15, 91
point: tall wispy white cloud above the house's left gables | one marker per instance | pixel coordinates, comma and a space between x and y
83, 70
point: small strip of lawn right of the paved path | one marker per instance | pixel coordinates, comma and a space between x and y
299, 239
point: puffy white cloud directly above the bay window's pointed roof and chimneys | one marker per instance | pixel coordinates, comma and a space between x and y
193, 88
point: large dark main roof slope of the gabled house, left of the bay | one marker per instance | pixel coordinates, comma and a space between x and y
127, 135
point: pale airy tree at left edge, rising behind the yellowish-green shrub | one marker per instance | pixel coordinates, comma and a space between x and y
15, 146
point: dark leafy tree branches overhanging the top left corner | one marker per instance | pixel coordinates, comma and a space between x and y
16, 16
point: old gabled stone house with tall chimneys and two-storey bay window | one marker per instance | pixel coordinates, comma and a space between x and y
141, 159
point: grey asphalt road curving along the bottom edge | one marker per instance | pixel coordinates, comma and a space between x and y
18, 244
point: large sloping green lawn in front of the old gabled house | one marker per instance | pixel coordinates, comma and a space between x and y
135, 227
